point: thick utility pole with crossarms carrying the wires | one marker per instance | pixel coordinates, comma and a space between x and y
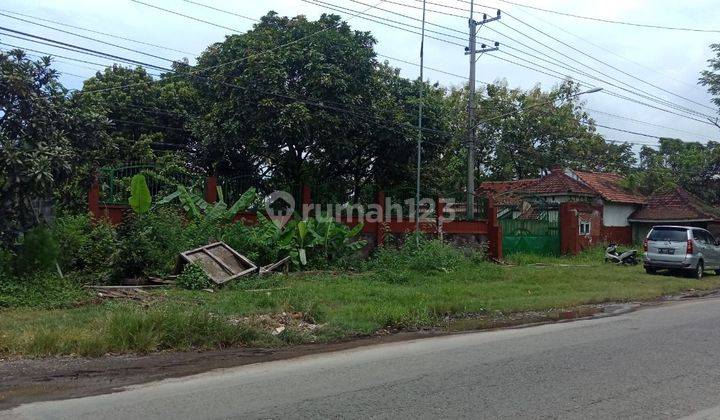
472, 51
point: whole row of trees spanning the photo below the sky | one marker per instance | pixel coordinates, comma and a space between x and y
297, 101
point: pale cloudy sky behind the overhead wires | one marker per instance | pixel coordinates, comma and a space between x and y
670, 60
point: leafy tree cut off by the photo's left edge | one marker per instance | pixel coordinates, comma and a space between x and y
37, 129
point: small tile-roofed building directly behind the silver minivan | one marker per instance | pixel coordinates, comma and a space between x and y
676, 207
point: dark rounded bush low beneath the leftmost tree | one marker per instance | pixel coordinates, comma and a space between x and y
38, 251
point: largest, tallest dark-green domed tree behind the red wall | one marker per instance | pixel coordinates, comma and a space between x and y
307, 101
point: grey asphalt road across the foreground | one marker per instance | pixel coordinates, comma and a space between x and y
654, 363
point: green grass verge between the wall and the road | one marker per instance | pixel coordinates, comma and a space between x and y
337, 306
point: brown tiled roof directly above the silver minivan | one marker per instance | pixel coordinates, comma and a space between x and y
677, 204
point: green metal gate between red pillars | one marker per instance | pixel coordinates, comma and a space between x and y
530, 236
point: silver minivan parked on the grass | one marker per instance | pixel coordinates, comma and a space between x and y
684, 248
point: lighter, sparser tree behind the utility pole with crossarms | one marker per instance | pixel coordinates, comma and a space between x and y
521, 134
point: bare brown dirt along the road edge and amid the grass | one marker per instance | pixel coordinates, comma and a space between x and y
29, 380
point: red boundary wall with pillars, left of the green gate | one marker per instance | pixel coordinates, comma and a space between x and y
438, 226
